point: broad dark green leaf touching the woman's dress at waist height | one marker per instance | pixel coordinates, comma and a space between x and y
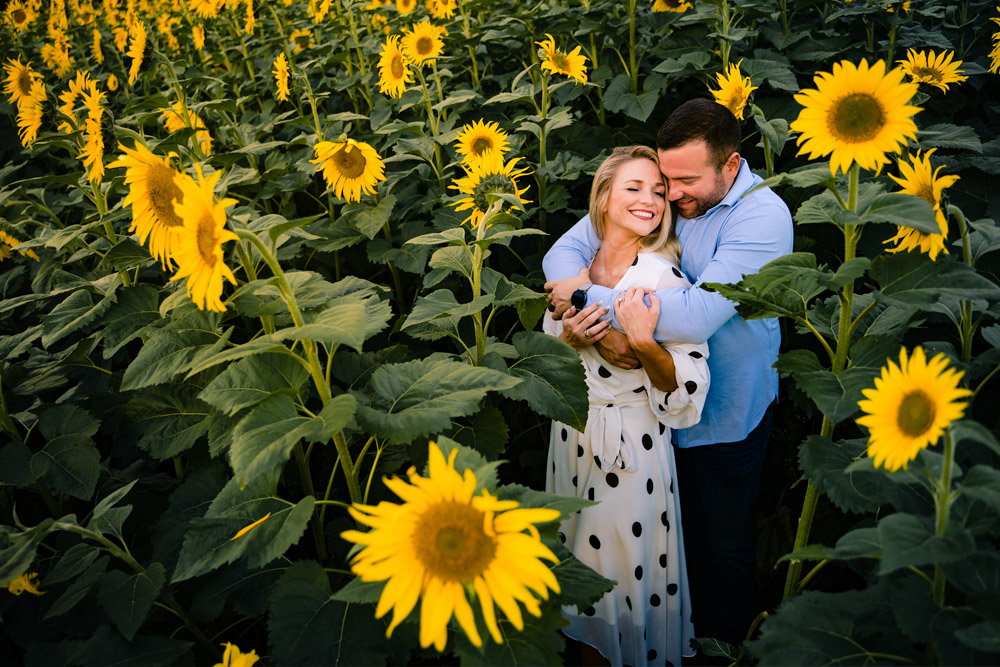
553, 378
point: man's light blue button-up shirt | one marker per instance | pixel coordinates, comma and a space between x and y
734, 238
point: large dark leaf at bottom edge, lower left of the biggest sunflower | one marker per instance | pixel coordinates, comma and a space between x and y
307, 626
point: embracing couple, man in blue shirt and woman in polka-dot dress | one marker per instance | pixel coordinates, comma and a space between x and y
681, 388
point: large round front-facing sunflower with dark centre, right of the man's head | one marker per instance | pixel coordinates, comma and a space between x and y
857, 113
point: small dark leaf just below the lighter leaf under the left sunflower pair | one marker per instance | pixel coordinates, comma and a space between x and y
171, 418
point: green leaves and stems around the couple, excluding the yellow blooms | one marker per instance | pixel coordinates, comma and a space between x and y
139, 433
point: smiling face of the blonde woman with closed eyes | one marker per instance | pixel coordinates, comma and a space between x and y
637, 198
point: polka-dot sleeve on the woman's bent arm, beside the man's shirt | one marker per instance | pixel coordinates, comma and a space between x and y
682, 407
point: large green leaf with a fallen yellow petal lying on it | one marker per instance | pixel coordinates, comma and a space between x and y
209, 541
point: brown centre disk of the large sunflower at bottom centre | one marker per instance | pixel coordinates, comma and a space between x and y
450, 542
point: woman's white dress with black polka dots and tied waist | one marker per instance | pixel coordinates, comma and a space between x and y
624, 460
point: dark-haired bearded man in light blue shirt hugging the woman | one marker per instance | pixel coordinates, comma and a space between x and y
723, 236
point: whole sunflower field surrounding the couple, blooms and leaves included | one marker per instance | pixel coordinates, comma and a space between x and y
273, 385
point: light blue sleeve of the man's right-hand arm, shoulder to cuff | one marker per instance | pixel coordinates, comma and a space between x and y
761, 233
